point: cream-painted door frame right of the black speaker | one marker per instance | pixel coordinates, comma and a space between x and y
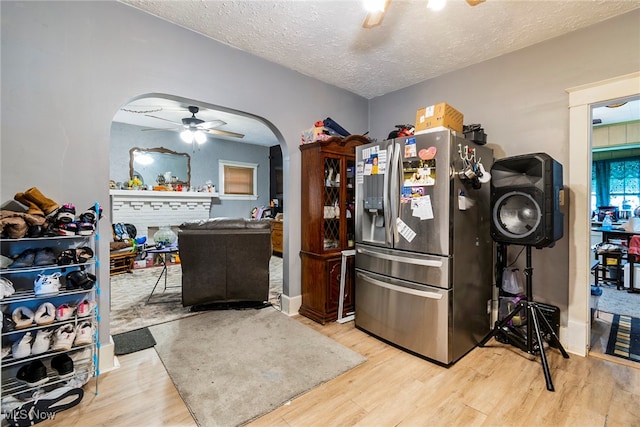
581, 99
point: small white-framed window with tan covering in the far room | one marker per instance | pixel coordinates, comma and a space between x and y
238, 180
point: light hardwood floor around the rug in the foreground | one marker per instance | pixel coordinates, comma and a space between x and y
493, 386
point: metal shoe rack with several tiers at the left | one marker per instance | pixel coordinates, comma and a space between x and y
85, 357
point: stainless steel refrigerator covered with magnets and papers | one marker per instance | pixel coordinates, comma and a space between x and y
424, 255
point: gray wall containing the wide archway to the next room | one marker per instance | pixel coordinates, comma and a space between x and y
67, 67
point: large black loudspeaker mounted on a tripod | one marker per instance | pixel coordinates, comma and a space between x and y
525, 200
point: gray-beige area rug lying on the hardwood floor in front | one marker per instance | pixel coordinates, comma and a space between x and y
231, 367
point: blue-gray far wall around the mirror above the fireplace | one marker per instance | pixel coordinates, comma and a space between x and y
204, 162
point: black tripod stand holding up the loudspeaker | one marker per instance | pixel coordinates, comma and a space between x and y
536, 323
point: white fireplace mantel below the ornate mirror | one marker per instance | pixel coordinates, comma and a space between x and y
146, 209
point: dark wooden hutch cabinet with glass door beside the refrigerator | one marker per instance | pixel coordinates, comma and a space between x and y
328, 225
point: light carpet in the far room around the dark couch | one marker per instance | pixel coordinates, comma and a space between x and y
129, 293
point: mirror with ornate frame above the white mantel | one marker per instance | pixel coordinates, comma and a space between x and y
159, 166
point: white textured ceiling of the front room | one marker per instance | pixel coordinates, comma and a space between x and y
411, 45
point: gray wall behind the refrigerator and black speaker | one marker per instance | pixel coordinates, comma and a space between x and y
520, 100
